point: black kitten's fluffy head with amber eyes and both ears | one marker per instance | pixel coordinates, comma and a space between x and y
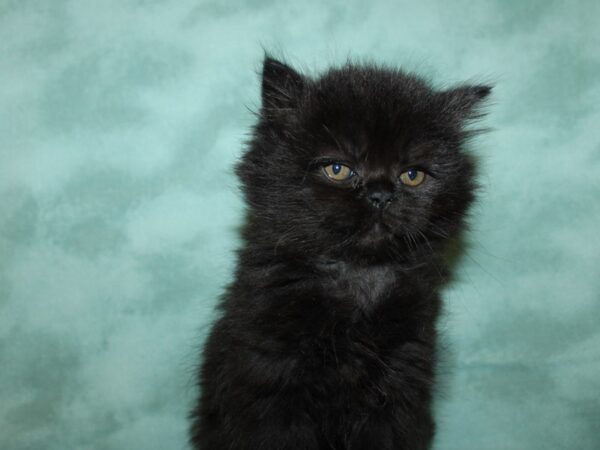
362, 162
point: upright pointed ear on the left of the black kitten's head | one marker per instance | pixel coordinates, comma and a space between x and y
281, 85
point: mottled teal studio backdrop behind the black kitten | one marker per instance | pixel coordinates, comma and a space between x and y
119, 125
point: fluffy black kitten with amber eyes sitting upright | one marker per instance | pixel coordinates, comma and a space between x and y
356, 184
